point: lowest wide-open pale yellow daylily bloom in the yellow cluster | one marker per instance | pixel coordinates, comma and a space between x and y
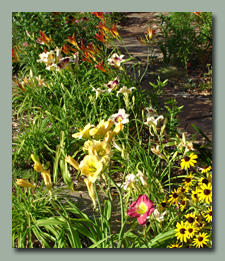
91, 167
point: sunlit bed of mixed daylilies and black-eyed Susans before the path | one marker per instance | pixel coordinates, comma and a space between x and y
85, 122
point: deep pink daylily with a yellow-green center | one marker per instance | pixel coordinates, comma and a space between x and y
141, 209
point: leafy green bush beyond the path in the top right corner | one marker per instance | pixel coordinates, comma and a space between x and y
186, 36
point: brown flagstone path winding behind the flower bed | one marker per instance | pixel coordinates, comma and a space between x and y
197, 110
